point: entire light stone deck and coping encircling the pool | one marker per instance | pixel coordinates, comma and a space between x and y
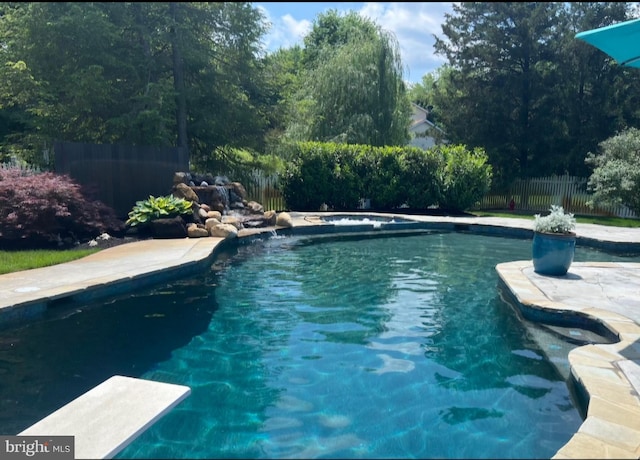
604, 293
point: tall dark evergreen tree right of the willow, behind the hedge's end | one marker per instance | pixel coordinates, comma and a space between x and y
496, 51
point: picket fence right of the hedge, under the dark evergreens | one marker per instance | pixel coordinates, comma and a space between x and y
536, 195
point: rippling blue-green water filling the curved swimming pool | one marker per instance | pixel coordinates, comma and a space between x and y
336, 347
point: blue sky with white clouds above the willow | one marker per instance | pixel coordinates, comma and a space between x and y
413, 24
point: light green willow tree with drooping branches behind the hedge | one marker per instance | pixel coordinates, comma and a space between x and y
352, 89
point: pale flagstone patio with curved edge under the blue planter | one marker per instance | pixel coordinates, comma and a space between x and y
607, 375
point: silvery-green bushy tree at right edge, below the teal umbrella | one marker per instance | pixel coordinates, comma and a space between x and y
616, 171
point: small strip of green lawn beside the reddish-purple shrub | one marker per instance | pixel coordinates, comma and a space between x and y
15, 261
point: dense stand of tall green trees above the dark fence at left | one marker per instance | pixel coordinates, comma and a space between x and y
136, 73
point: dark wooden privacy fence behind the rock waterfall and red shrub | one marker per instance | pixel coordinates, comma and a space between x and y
120, 175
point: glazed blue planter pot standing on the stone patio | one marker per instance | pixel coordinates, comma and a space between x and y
553, 253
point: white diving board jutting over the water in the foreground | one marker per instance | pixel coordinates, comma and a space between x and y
110, 416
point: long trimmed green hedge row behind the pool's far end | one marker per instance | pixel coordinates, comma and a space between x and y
449, 177
